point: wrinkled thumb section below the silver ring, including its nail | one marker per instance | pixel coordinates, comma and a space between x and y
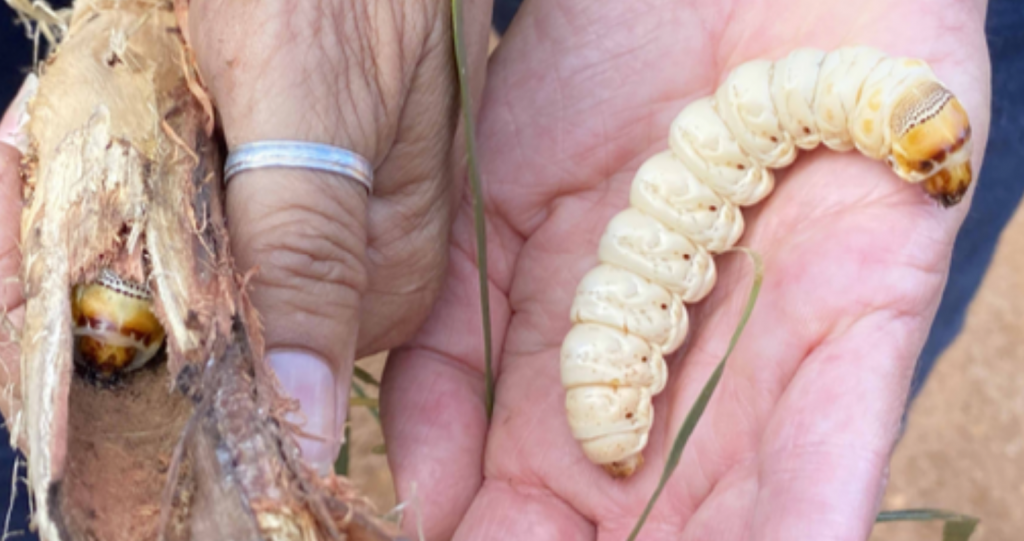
305, 234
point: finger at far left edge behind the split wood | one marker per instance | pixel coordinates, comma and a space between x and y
12, 303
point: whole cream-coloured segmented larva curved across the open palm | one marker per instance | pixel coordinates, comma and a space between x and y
629, 313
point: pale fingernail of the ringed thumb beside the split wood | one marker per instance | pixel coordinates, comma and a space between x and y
310, 380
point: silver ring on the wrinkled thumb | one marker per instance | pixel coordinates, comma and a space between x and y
290, 154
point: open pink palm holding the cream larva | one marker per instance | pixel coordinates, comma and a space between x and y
796, 442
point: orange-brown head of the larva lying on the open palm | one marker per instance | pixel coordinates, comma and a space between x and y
932, 142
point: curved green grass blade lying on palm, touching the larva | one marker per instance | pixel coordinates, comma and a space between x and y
702, 403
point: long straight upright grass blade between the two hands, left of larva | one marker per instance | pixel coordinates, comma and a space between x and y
470, 129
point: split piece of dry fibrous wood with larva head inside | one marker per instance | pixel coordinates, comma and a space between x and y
123, 193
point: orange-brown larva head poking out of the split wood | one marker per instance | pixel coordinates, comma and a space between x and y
115, 327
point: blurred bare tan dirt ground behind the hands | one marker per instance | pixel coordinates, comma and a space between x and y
964, 448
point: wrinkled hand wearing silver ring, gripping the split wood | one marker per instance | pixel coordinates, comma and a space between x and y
339, 275
